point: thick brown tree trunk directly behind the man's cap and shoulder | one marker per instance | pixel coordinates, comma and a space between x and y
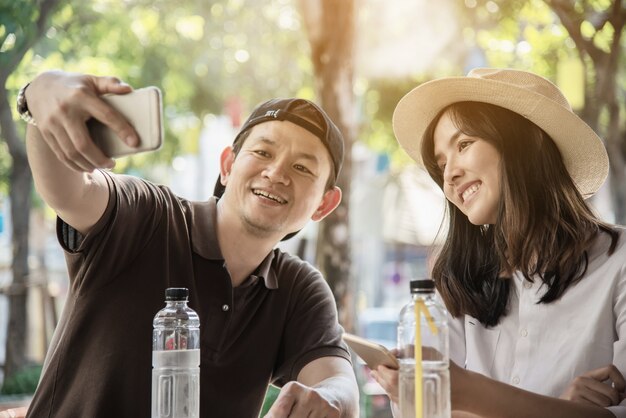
330, 26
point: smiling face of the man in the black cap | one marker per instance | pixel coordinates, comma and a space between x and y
277, 180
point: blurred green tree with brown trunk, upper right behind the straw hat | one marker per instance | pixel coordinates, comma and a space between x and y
538, 34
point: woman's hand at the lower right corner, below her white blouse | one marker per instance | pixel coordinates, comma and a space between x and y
591, 388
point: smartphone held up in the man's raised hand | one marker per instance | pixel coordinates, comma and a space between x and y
143, 110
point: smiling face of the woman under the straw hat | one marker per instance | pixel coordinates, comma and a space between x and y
470, 167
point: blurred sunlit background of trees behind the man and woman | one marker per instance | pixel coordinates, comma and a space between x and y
214, 60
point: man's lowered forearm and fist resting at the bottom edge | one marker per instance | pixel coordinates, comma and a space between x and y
325, 387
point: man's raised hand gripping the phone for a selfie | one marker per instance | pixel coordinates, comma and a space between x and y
67, 101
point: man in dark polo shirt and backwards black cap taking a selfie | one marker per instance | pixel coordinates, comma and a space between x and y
265, 316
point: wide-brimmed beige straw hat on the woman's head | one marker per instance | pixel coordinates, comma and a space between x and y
527, 94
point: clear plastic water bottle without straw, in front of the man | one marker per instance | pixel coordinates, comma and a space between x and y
176, 358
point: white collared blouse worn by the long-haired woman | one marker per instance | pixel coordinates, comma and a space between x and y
543, 347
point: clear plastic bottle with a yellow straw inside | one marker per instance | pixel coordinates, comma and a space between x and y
430, 334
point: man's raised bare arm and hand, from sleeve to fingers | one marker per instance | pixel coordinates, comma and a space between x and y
61, 154
